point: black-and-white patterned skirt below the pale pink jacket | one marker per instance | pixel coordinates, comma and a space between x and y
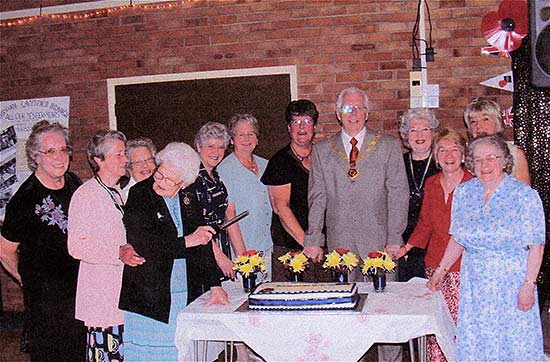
105, 344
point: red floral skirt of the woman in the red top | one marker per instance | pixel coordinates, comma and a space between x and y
449, 288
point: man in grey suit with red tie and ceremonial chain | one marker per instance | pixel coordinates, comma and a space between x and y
358, 186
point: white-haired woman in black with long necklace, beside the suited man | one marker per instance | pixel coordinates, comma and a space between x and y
416, 127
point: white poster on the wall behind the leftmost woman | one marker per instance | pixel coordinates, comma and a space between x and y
16, 120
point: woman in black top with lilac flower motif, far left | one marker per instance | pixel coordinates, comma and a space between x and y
34, 241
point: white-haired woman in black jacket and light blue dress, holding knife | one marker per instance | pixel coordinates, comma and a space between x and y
163, 224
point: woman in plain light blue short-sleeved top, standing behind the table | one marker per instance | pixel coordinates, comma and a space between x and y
241, 172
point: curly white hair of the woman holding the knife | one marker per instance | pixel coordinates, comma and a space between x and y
182, 159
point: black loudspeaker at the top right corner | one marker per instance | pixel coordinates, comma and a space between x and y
539, 29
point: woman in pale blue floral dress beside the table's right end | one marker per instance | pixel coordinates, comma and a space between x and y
497, 225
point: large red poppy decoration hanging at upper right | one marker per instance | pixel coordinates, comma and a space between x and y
504, 29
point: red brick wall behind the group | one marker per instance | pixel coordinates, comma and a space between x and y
334, 44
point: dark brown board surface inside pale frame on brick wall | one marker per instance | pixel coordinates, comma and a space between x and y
175, 110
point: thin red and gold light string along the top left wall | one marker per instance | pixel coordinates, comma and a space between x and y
91, 13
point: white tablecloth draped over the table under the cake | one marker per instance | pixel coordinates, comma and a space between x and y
404, 311
